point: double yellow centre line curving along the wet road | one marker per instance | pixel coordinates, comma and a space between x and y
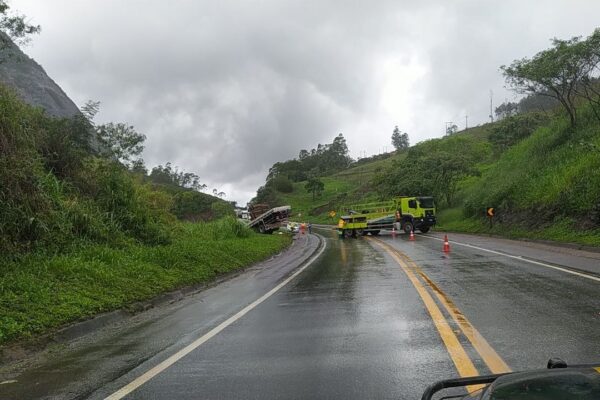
459, 356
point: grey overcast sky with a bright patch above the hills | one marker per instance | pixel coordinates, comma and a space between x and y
226, 88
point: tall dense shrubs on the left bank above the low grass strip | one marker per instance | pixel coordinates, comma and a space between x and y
55, 193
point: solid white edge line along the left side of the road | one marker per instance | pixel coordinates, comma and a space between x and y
146, 376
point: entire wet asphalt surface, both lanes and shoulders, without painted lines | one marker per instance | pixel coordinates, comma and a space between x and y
352, 325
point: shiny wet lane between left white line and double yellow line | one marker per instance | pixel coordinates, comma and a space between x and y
351, 326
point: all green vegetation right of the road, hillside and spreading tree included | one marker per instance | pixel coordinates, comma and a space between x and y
538, 165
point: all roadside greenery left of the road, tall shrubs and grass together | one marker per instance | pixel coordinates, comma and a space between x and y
84, 228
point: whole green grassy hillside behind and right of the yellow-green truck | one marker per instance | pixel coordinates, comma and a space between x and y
541, 175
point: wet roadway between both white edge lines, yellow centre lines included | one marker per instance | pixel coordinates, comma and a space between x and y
384, 317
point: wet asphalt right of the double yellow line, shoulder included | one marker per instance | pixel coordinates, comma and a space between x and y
527, 312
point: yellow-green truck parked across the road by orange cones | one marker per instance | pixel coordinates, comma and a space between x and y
401, 213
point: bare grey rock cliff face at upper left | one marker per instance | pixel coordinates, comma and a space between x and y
31, 82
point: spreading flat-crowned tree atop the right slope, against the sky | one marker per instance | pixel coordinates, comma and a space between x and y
557, 72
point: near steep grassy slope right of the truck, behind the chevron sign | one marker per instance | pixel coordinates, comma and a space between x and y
546, 186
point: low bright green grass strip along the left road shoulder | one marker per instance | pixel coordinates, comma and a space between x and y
39, 293
